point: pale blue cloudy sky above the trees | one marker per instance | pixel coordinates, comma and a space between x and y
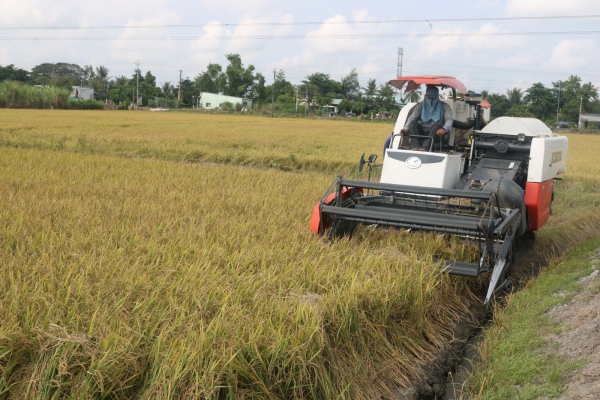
302, 37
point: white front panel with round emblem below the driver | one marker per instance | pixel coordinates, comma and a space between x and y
417, 168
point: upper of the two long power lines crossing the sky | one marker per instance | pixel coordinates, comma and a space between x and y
301, 23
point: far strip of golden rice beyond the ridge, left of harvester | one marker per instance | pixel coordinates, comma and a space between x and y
287, 144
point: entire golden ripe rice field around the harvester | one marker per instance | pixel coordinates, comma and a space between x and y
128, 275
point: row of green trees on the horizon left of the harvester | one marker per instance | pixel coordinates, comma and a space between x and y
235, 79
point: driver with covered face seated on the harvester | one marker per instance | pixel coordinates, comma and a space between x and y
431, 117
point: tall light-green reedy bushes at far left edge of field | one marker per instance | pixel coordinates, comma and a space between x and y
19, 95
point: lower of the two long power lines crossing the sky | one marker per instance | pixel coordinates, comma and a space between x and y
287, 37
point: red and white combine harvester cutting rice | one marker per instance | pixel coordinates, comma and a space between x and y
491, 184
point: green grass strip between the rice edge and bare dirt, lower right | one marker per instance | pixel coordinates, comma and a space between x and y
517, 359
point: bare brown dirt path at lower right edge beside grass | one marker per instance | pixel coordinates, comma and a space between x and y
580, 337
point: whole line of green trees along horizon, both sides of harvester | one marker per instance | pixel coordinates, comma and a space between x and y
317, 89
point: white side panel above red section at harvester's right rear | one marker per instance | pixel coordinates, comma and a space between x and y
548, 158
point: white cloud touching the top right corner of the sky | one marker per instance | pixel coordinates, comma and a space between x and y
550, 7
